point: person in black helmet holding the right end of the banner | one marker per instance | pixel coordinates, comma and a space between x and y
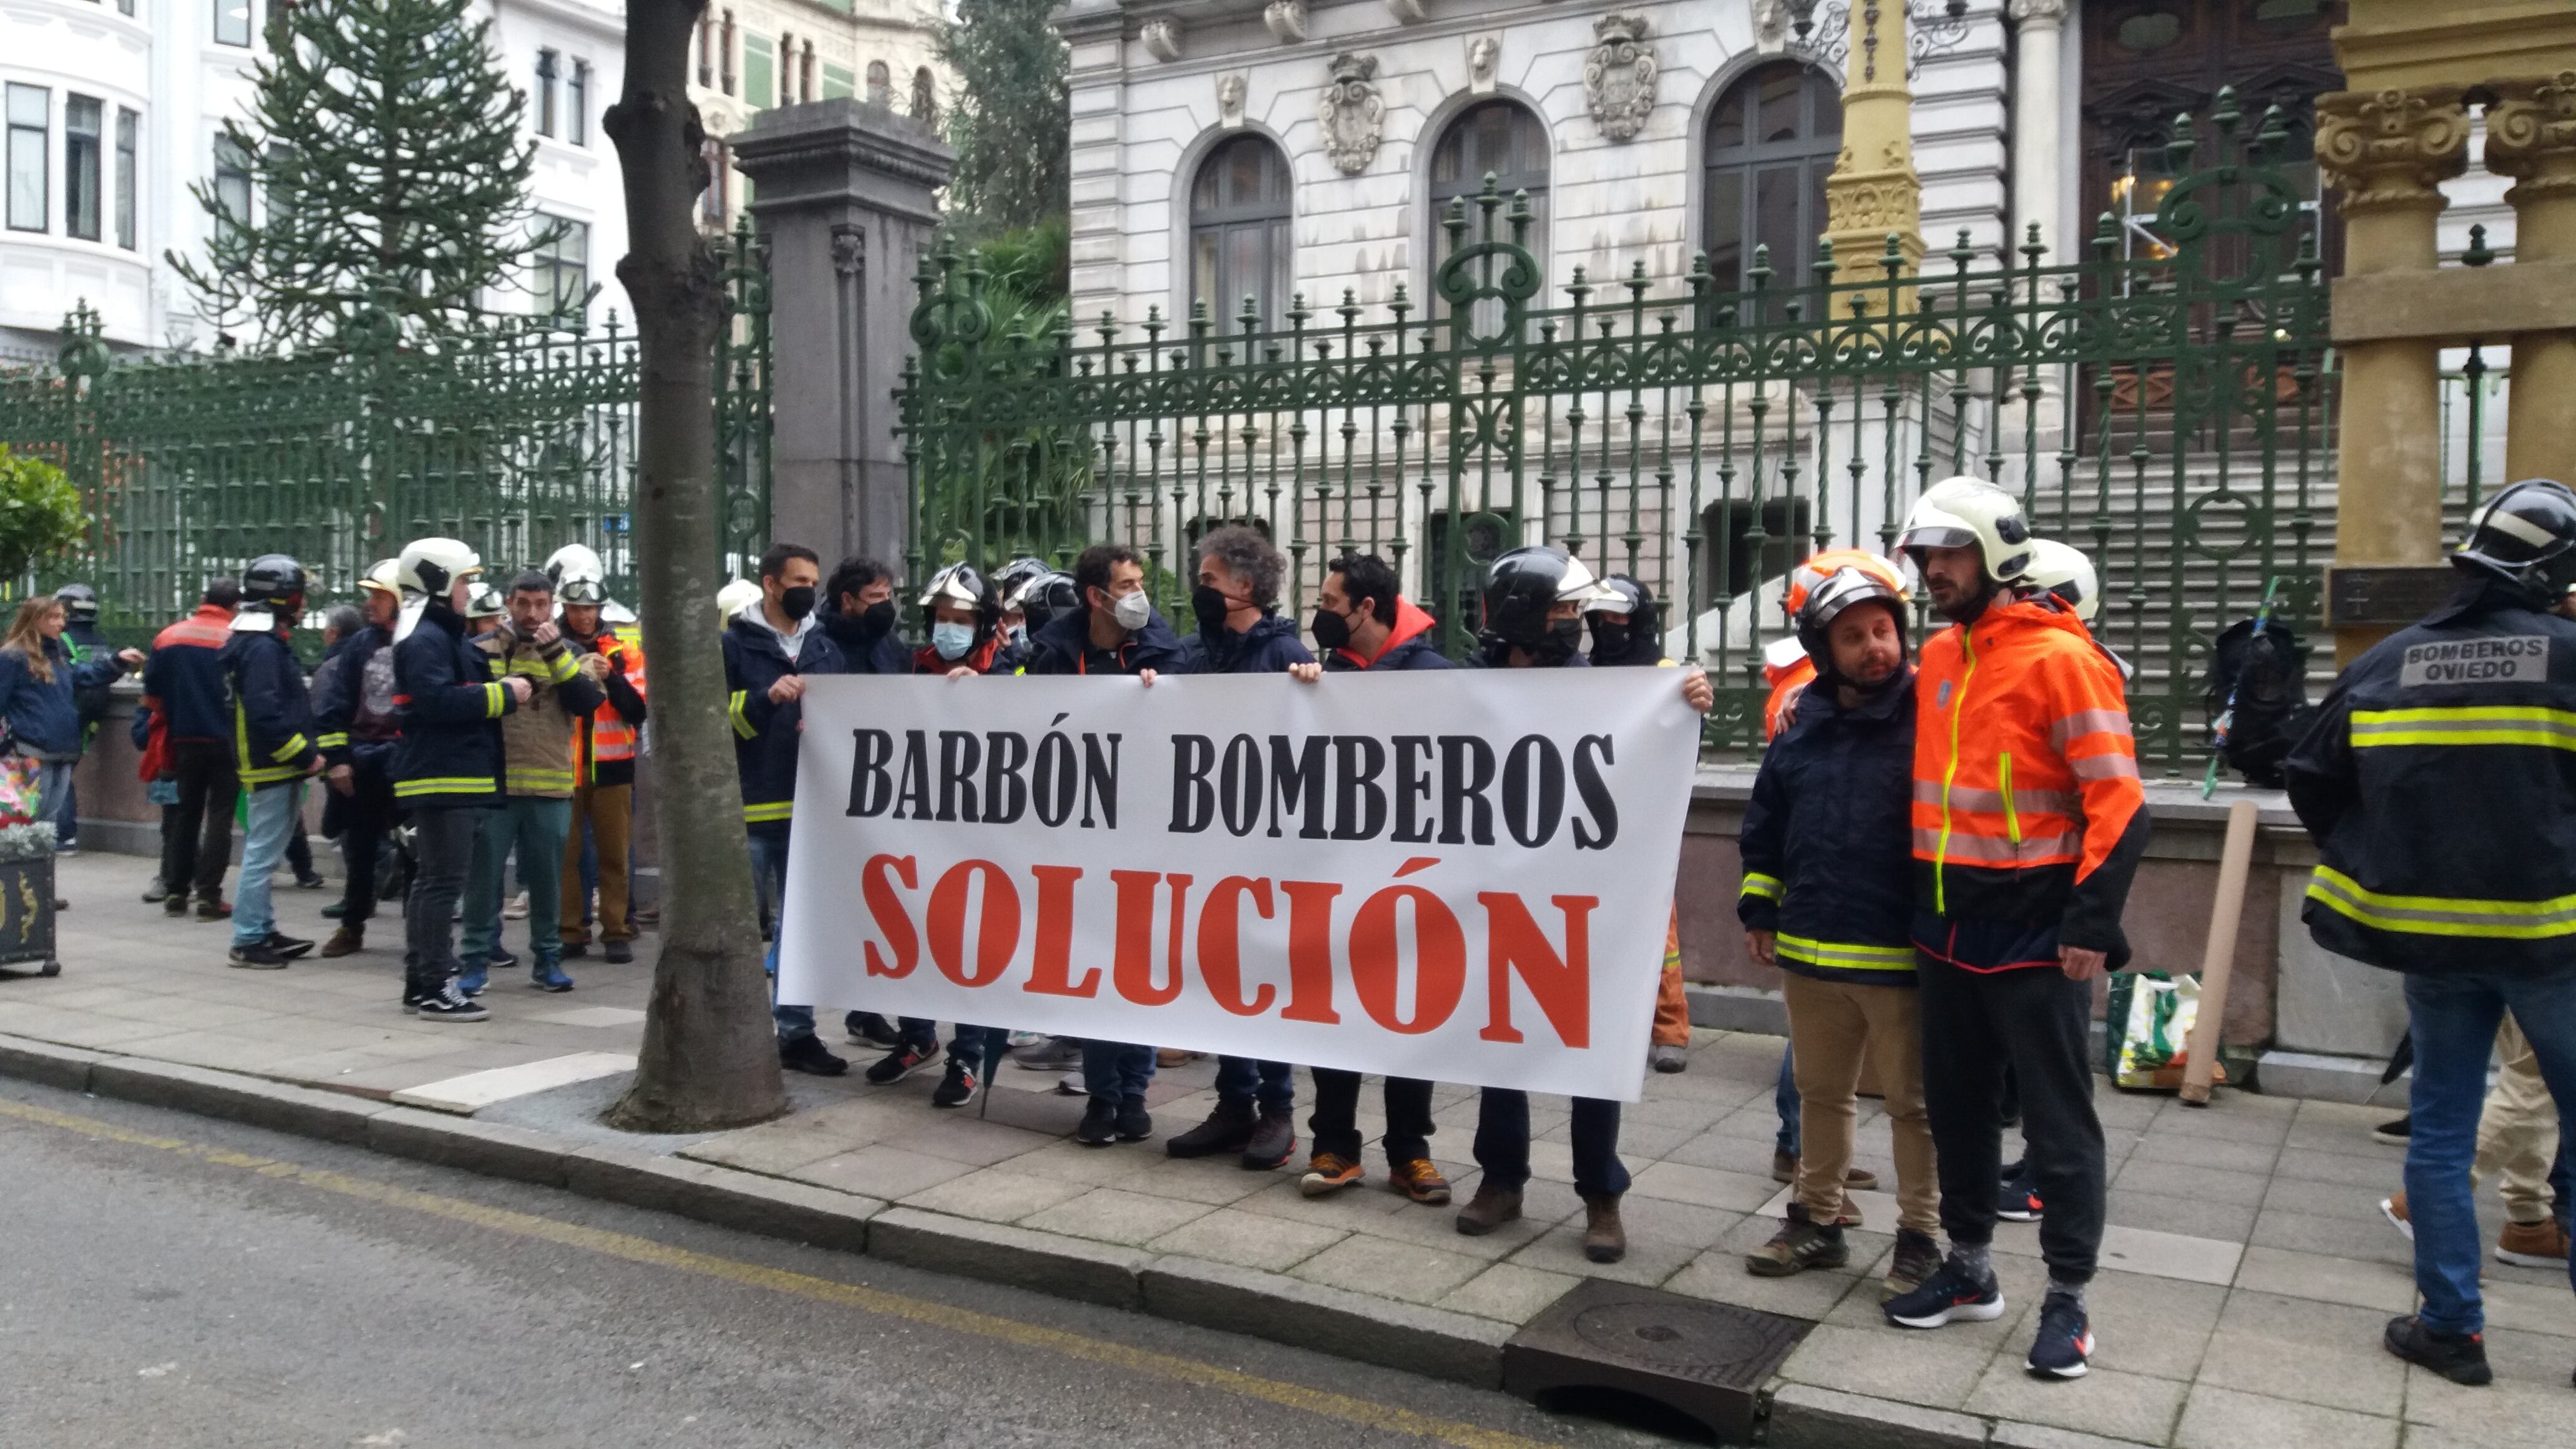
1534, 618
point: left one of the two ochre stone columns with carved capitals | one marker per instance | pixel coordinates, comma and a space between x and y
2389, 151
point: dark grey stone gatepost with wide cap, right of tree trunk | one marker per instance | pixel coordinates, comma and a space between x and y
846, 200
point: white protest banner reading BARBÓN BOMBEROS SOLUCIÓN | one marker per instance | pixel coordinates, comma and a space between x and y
1452, 875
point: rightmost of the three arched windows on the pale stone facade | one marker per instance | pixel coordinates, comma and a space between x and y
1771, 146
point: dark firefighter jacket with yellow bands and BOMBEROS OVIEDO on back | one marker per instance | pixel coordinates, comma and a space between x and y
2441, 790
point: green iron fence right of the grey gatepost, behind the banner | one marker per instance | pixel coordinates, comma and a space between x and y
2168, 414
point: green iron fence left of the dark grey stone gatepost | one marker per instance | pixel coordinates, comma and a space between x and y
516, 440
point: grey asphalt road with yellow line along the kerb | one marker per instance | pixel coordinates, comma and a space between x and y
197, 1285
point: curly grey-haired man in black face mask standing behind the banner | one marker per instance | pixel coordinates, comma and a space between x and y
1240, 630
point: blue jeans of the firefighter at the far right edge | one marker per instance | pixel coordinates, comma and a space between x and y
2454, 1020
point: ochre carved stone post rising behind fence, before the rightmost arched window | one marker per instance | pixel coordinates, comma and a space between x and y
1874, 187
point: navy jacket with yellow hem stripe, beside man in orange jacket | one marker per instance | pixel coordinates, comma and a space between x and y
1828, 842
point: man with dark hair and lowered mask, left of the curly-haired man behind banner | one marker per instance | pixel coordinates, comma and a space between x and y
1117, 633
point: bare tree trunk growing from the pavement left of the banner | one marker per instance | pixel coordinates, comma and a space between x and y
710, 1051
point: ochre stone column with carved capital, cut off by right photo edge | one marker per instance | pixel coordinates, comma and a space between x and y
2531, 135
